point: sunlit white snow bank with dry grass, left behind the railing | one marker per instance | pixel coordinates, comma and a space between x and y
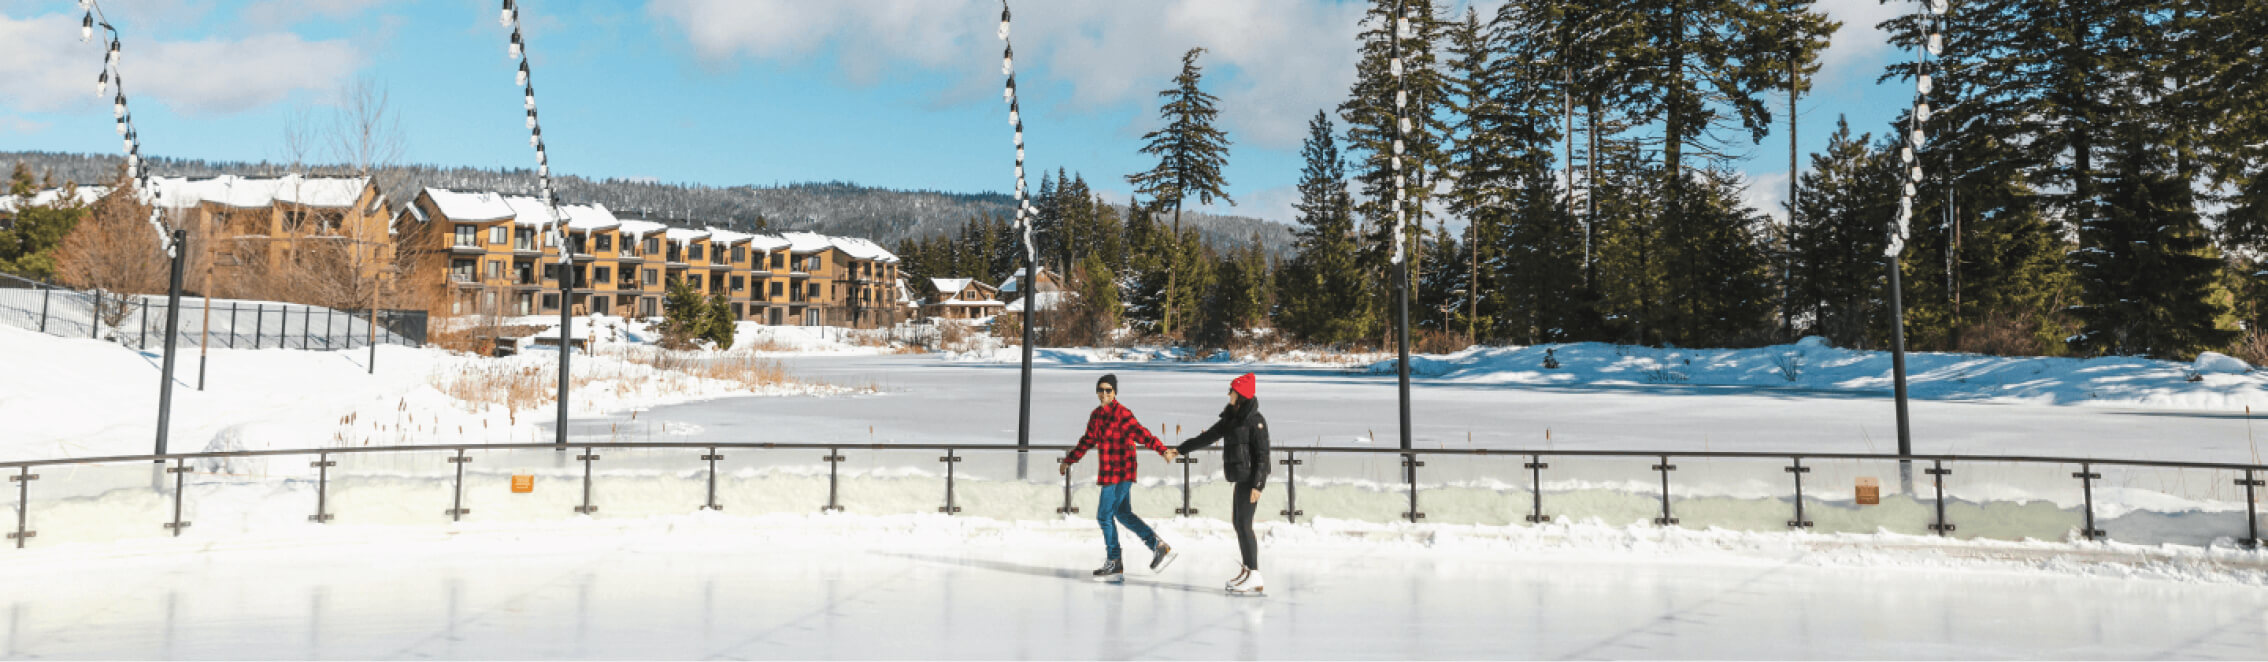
69, 398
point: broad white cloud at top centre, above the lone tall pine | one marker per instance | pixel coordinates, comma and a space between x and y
1273, 62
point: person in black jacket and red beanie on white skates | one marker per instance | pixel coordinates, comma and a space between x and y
1244, 461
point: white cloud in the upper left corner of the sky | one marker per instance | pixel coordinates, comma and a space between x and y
51, 71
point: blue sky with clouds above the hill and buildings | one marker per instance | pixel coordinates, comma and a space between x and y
897, 94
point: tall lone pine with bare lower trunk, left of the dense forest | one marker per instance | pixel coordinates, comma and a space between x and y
1192, 155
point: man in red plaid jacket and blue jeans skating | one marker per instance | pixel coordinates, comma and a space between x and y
1115, 432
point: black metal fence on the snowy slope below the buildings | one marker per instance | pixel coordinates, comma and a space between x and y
139, 321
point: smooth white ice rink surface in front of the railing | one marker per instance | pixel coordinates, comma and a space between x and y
722, 588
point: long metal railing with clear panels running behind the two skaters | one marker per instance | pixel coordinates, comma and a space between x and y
2002, 498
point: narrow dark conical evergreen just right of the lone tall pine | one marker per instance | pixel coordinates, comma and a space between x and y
1323, 291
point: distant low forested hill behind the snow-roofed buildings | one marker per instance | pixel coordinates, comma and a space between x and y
833, 207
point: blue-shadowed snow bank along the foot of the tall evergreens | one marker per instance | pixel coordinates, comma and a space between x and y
2222, 384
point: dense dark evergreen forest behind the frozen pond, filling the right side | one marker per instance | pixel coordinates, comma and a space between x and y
2092, 185
